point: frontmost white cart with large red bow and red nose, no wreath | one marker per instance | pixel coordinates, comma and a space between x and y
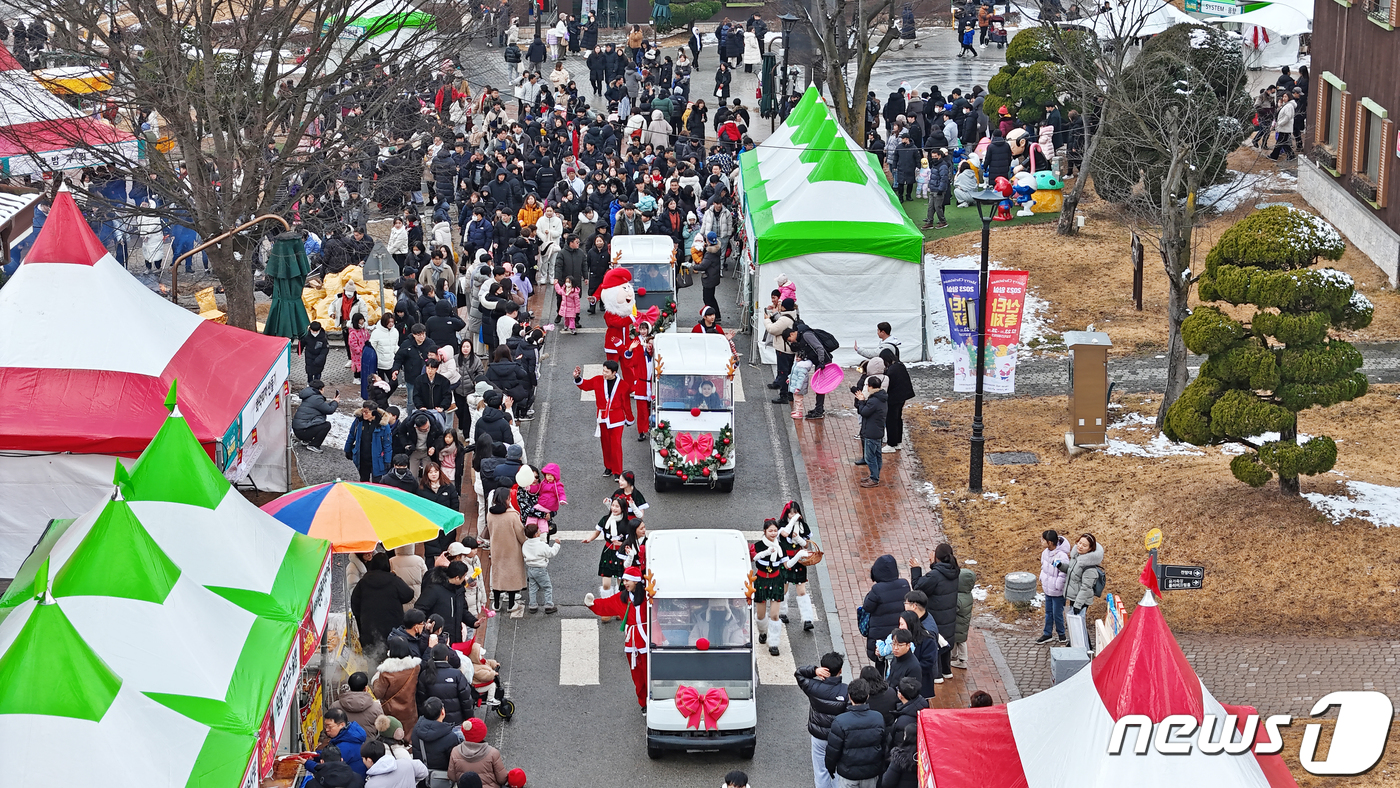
702, 640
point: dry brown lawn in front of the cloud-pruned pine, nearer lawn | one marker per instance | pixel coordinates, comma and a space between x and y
1273, 563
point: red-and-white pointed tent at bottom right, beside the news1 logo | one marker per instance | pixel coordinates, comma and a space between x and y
1060, 738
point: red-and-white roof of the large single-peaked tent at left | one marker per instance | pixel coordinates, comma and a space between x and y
76, 387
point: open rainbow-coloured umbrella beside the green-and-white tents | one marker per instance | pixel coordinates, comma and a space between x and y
355, 516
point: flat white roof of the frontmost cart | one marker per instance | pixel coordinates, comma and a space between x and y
699, 563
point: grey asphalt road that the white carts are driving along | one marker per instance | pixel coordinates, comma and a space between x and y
540, 653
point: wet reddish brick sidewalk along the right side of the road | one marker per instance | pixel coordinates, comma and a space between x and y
859, 526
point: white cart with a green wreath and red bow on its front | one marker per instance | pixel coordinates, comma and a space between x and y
694, 402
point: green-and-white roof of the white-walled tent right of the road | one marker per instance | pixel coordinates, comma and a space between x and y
811, 188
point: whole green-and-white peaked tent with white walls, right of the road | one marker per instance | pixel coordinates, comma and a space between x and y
820, 209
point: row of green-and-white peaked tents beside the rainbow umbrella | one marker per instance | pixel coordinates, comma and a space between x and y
156, 640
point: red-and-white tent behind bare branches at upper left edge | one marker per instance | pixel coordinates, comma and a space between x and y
41, 134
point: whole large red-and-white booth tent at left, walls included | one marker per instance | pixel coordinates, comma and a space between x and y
89, 356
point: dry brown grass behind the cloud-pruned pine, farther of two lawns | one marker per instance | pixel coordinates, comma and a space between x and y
1088, 278
